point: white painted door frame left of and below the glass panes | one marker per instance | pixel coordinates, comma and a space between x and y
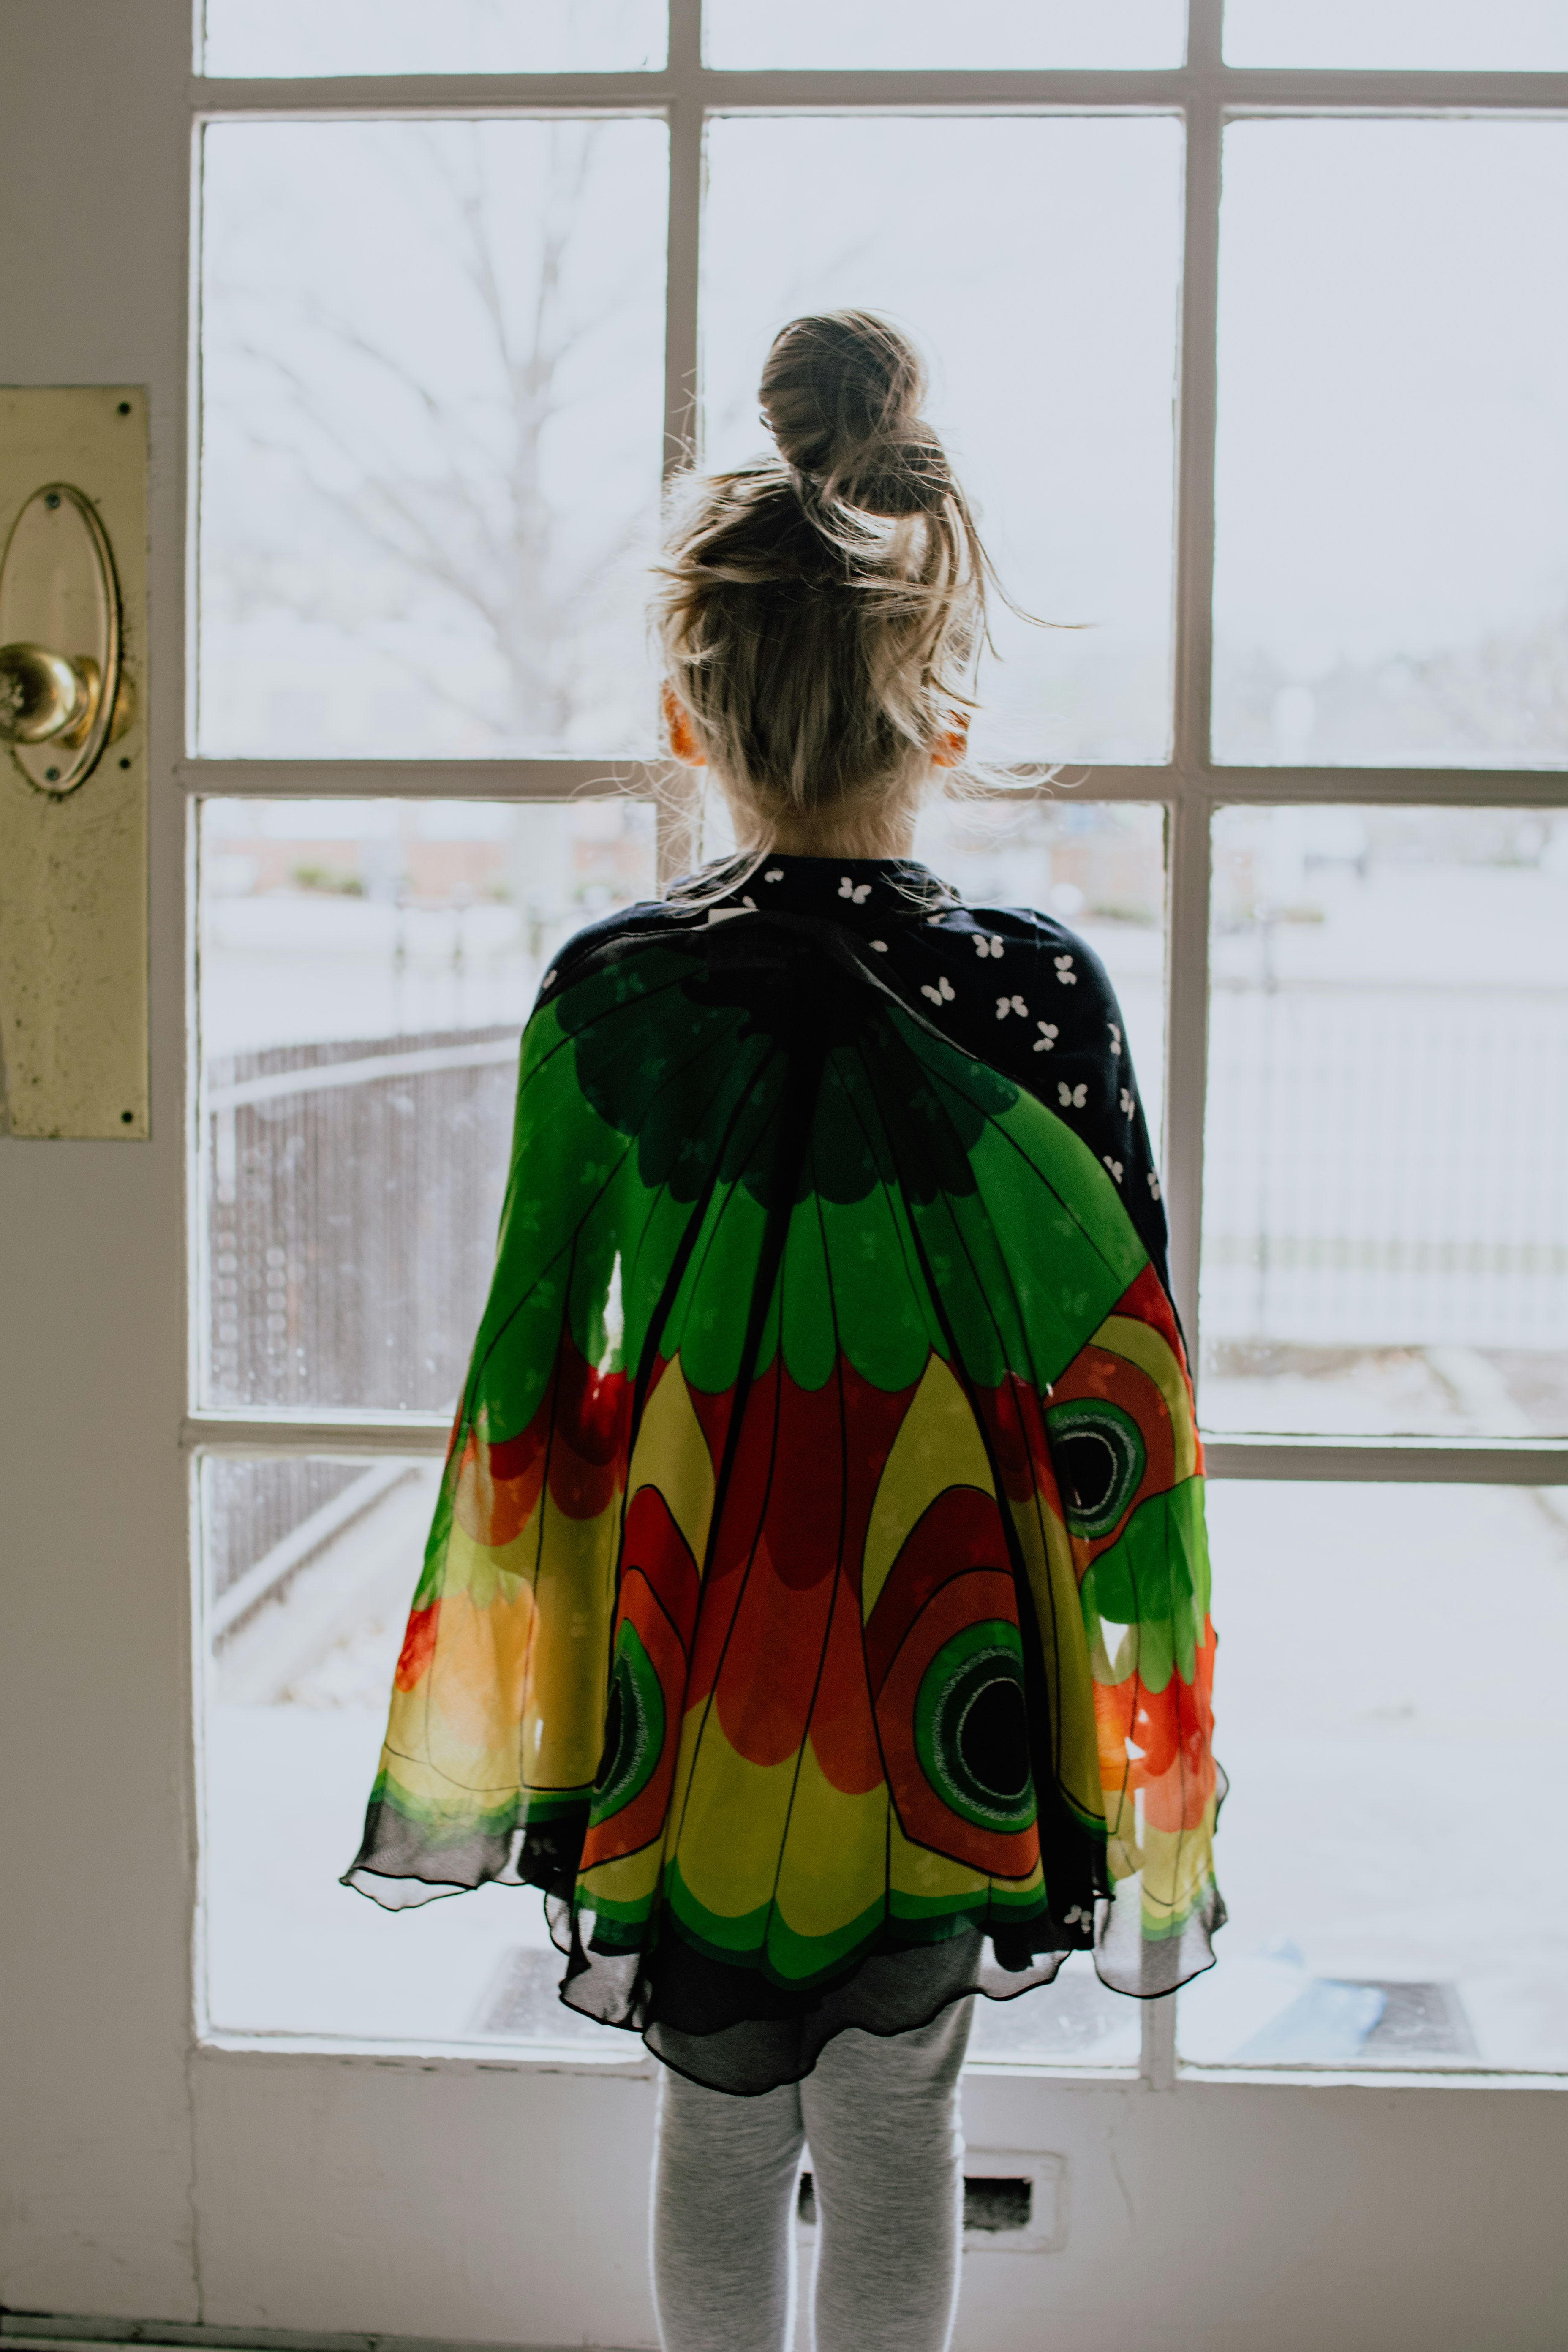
149, 2179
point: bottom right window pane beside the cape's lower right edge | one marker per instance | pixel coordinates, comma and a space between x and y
1393, 1728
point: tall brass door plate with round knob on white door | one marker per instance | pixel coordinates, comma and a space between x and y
74, 831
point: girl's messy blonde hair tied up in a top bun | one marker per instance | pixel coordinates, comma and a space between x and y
822, 610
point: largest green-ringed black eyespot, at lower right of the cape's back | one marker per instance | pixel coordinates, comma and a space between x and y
972, 1730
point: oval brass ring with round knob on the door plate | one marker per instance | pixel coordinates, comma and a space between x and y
65, 690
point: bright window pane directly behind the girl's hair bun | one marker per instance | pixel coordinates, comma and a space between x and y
1038, 265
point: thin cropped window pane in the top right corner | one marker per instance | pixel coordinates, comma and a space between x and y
1416, 34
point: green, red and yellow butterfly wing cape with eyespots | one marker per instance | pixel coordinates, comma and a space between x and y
817, 1598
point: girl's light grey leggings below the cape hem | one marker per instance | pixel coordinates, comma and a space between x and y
887, 2163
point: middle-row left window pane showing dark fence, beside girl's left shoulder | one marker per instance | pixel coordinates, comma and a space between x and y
366, 973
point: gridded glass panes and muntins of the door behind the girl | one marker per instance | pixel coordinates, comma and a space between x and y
445, 354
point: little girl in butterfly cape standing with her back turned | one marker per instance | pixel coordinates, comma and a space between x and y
817, 1605
